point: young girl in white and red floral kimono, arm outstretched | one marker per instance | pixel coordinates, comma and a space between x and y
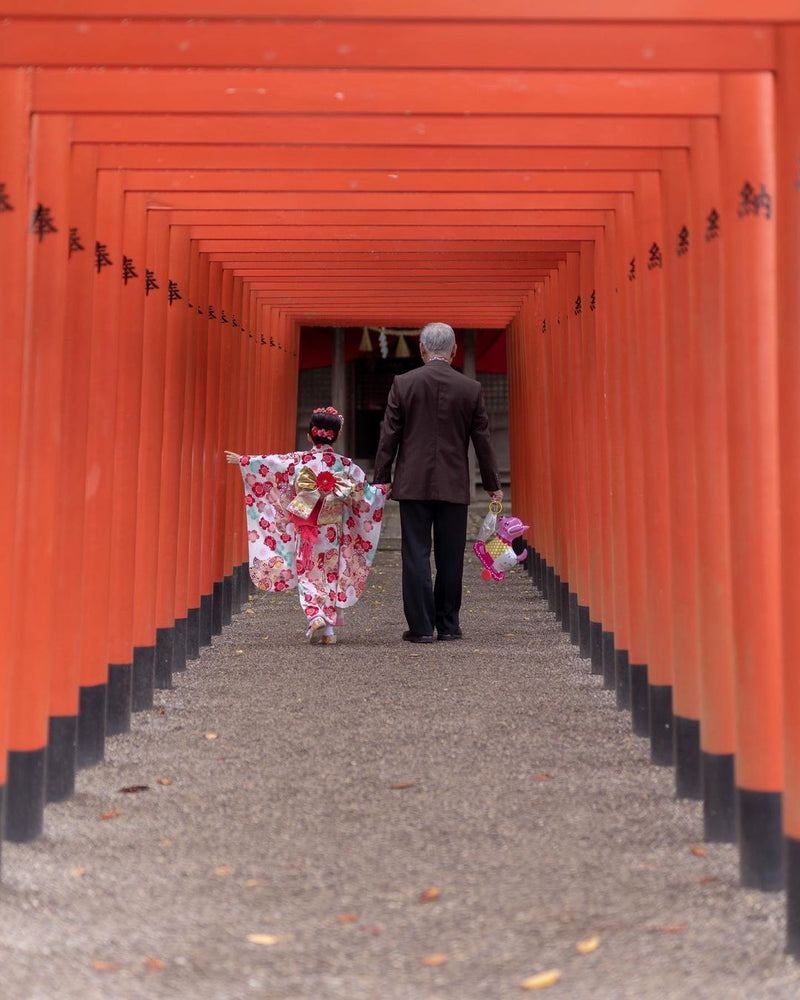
313, 523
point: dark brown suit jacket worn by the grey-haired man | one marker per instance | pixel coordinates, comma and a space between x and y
431, 415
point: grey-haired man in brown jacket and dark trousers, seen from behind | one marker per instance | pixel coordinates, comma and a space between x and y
431, 415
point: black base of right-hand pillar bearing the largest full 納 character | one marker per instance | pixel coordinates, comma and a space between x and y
760, 839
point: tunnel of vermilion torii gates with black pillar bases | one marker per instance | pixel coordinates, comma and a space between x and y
183, 184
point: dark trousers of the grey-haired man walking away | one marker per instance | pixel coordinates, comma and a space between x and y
427, 605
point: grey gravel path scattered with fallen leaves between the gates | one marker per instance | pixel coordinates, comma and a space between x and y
531, 820
